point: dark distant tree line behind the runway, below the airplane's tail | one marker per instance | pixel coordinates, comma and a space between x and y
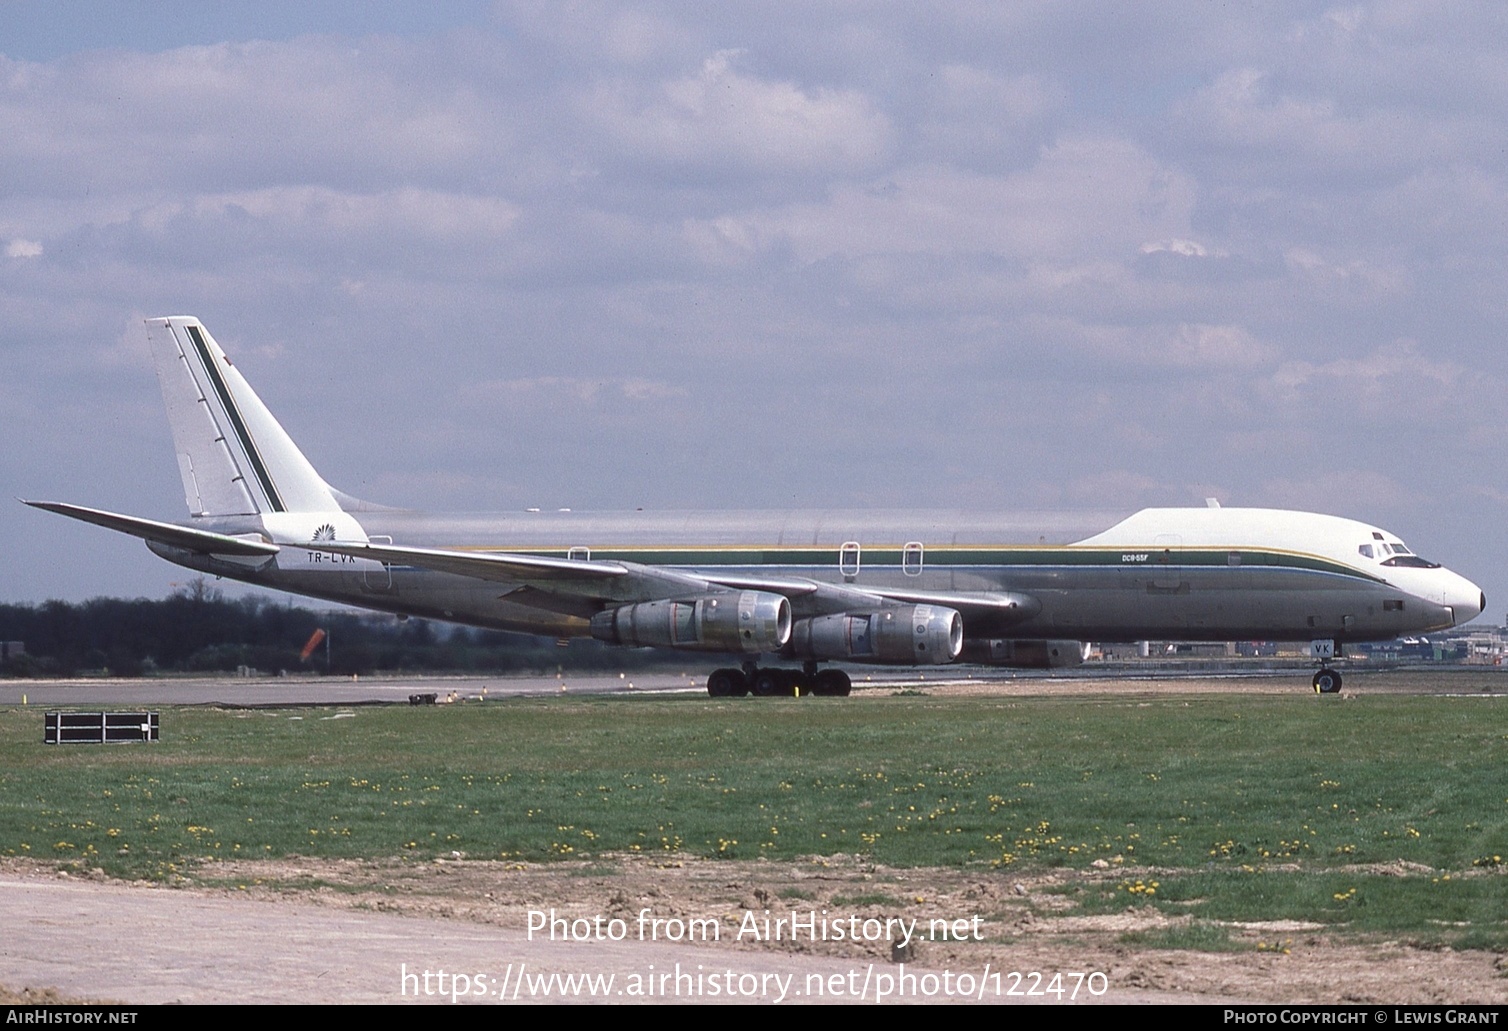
200, 631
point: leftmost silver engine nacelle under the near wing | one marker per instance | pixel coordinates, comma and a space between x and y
747, 622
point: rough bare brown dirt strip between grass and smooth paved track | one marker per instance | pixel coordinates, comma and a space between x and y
1017, 922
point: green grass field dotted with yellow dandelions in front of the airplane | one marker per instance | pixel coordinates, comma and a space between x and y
1382, 816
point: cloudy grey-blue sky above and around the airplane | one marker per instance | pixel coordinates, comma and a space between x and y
672, 255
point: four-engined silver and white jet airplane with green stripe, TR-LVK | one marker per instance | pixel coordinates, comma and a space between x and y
909, 589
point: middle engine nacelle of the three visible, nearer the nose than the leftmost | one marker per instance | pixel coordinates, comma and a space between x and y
912, 635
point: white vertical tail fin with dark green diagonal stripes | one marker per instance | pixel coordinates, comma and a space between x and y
233, 454
